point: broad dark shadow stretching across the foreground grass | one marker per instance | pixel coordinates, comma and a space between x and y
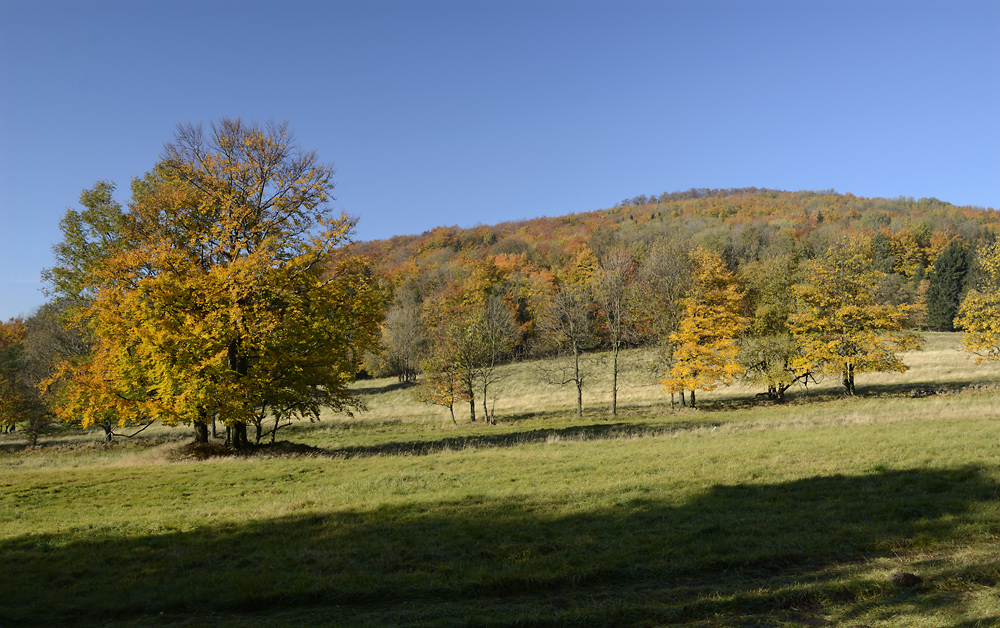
752, 551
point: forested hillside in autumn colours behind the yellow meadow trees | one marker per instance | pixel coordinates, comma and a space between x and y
915, 257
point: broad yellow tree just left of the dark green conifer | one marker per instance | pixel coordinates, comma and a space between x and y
839, 323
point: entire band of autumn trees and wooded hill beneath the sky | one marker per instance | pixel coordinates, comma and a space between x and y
227, 293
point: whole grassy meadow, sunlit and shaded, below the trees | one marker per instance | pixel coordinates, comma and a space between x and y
738, 513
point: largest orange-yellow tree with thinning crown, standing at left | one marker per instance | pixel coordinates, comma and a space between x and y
233, 299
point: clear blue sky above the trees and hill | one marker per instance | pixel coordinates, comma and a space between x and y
463, 112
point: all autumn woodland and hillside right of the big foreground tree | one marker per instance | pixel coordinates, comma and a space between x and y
771, 288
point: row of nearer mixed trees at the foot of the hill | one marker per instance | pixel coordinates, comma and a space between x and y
774, 322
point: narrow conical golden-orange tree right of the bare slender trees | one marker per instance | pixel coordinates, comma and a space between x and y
713, 319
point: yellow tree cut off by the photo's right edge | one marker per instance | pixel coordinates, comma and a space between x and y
979, 314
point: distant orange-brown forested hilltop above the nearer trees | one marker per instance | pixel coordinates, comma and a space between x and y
745, 224
